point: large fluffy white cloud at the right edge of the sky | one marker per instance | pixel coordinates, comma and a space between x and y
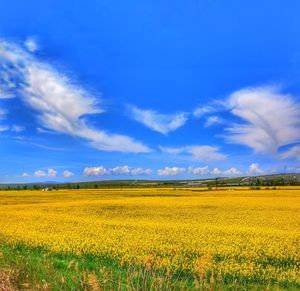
271, 119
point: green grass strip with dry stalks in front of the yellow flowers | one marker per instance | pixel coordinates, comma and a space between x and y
39, 269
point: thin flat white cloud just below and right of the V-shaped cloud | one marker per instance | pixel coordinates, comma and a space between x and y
197, 152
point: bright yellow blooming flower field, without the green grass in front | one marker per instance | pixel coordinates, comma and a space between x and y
243, 233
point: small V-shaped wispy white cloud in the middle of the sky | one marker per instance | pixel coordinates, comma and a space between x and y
162, 123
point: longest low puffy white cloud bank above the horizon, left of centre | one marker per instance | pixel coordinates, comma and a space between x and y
119, 170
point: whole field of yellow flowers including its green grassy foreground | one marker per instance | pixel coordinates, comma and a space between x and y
142, 239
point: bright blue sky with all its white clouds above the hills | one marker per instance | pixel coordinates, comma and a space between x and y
148, 89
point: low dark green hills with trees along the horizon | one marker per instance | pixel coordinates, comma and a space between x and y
262, 180
